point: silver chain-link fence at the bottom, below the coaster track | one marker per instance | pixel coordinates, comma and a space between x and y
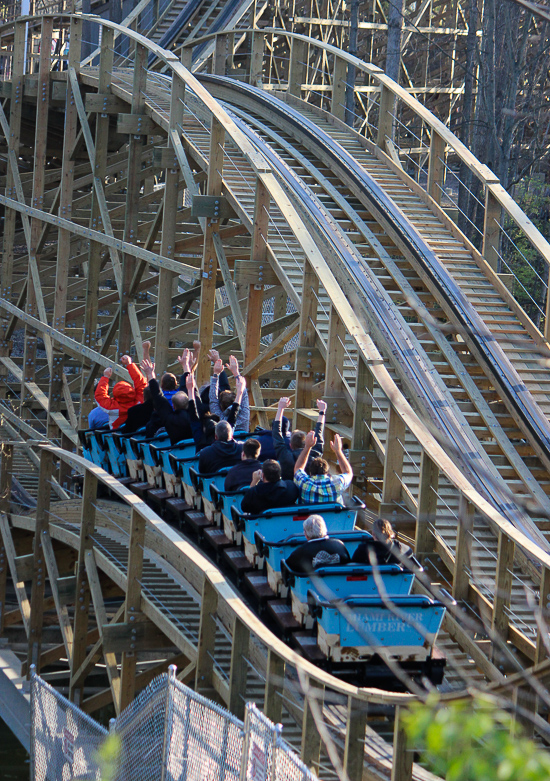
169, 733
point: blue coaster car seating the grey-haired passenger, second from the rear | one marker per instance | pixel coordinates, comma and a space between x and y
341, 581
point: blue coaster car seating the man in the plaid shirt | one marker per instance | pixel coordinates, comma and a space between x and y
284, 521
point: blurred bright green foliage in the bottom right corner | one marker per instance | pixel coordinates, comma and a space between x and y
475, 741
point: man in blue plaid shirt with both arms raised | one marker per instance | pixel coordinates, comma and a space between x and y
319, 486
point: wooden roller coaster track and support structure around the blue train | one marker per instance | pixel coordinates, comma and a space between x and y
141, 204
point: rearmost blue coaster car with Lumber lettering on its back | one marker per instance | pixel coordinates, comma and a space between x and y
357, 627
